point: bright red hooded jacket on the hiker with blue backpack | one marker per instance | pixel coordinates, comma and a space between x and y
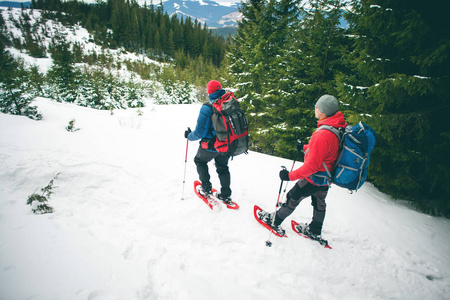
323, 147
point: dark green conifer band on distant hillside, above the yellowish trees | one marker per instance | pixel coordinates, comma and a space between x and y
142, 29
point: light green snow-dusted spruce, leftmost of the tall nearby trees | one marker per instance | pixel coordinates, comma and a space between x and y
254, 67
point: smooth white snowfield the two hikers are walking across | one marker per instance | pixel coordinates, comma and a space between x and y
121, 231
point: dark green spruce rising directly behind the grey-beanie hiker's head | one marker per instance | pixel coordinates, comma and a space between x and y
312, 62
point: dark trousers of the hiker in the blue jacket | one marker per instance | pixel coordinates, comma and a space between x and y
221, 161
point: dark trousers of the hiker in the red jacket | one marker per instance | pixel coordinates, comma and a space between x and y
300, 191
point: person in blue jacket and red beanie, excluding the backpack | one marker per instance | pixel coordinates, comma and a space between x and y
204, 132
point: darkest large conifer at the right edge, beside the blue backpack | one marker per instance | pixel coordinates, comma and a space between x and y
399, 79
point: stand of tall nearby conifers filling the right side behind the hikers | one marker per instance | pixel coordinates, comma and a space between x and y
386, 61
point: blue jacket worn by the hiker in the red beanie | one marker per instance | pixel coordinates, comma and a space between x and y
204, 128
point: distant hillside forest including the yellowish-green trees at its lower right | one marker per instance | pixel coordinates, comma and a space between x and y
194, 51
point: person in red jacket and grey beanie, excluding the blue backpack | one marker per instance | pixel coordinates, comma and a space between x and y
323, 147
